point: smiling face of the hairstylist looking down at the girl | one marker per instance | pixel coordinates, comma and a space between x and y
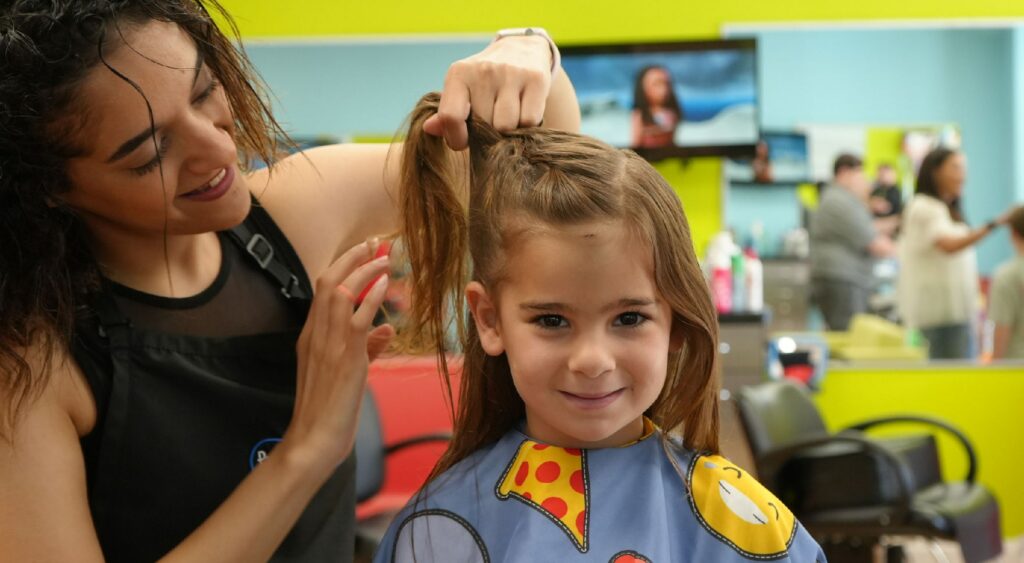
120, 188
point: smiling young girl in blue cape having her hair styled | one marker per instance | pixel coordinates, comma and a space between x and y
589, 354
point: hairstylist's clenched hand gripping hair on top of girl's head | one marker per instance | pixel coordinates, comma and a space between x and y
506, 85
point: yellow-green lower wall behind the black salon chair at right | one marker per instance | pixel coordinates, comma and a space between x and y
985, 403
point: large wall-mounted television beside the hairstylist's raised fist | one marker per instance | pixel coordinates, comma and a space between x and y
686, 99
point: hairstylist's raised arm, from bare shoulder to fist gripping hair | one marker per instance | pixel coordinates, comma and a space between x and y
334, 197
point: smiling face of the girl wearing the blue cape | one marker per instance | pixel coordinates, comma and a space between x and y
585, 330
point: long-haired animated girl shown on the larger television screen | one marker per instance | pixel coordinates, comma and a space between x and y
657, 112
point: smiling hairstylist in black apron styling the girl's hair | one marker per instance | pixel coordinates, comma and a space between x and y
181, 360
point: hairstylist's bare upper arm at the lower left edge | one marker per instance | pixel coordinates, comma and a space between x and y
45, 511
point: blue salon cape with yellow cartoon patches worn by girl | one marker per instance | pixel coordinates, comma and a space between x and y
653, 501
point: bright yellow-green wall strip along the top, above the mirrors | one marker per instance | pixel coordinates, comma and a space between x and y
579, 21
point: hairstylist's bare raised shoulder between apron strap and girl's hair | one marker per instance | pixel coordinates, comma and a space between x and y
330, 198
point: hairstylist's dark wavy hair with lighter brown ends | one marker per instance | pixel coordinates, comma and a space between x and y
48, 48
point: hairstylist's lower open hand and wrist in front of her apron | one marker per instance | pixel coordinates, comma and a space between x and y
334, 353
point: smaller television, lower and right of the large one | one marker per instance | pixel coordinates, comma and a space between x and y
781, 157
